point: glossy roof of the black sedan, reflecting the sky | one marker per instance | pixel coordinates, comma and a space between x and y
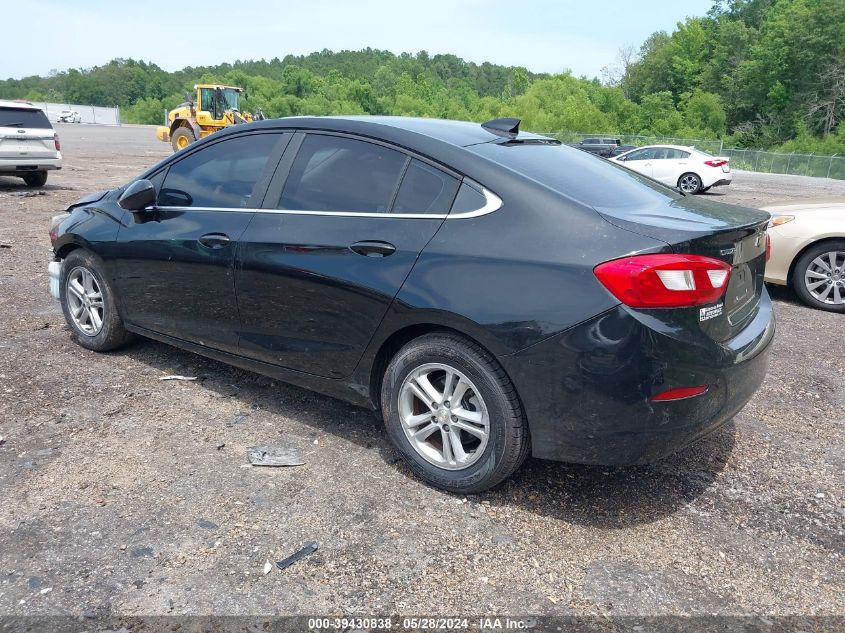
459, 133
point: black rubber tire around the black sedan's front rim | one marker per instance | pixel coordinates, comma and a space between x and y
111, 334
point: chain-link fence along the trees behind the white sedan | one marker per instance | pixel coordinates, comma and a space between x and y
748, 159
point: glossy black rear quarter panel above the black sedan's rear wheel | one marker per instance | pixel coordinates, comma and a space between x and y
516, 276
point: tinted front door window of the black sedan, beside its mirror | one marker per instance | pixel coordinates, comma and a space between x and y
221, 175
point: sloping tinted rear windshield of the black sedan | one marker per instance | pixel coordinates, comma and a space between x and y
579, 175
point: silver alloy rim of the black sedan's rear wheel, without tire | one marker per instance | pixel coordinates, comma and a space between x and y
444, 416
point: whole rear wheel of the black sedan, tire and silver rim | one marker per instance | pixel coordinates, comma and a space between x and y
453, 414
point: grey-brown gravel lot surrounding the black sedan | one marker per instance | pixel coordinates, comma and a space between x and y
118, 500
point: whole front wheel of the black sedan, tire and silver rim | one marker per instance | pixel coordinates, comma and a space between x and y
89, 305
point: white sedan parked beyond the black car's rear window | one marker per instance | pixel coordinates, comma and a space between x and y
687, 168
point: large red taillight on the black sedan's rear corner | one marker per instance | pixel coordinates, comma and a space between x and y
665, 281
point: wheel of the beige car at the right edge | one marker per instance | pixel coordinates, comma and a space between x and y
819, 276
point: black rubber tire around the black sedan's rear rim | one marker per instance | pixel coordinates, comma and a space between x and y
508, 440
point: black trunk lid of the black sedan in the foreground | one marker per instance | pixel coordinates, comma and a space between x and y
733, 234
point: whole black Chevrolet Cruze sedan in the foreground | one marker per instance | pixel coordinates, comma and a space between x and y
493, 294
